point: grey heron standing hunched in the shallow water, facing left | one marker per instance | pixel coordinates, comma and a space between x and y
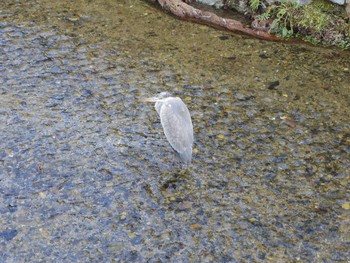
176, 121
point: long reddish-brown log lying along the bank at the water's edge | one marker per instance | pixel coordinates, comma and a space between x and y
187, 12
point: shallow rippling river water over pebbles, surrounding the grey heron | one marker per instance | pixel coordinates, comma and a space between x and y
86, 174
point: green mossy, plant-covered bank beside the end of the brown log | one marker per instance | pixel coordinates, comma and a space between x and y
319, 22
